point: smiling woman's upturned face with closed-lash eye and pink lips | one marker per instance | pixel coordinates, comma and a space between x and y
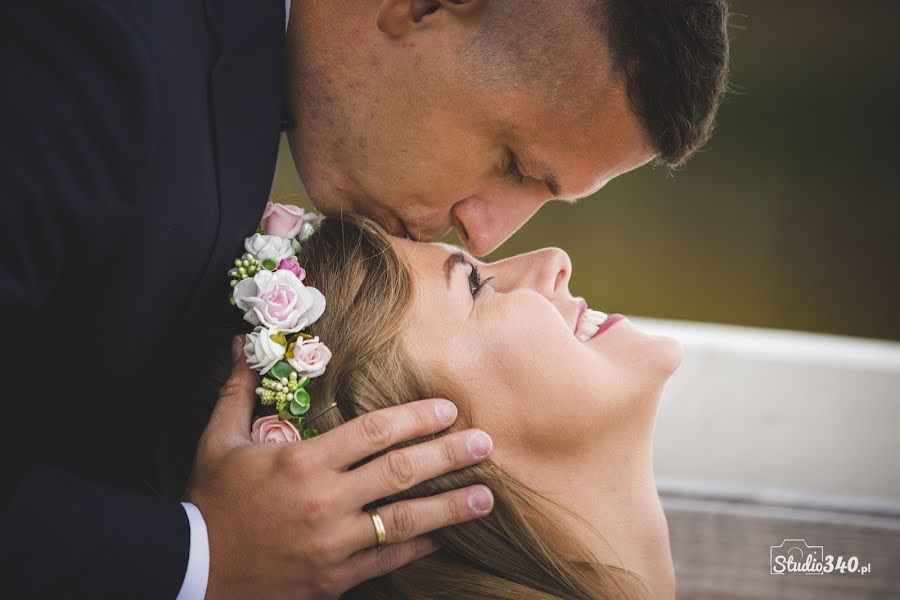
510, 348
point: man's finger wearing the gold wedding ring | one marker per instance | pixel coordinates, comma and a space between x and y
410, 519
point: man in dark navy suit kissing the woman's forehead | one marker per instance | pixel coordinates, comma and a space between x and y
137, 151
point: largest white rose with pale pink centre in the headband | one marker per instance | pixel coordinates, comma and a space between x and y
279, 300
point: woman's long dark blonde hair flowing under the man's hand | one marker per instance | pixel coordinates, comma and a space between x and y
517, 551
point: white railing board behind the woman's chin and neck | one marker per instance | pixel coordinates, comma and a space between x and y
806, 418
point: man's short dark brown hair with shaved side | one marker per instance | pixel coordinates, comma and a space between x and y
671, 54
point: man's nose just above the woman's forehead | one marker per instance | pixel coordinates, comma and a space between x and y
485, 222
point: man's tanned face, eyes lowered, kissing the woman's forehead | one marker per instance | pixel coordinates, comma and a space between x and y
403, 132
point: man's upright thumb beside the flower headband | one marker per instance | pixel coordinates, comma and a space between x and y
229, 423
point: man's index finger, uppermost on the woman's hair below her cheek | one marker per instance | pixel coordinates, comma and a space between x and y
381, 429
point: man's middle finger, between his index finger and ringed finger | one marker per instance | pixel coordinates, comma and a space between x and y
401, 469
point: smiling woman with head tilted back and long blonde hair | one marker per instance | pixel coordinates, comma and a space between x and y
568, 395
